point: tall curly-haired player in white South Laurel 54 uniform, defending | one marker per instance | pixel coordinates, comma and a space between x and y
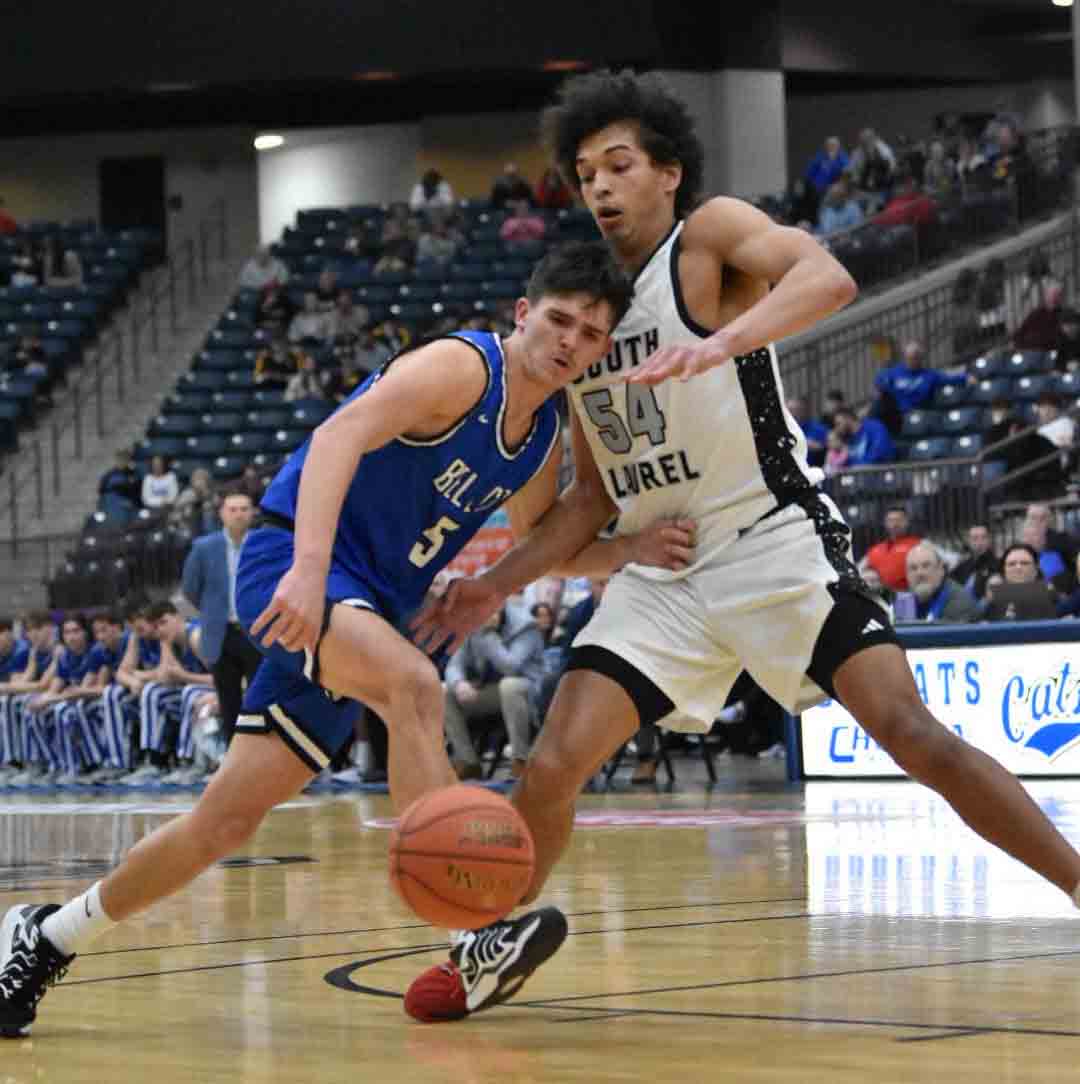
686, 418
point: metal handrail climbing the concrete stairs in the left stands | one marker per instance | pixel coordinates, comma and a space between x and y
115, 366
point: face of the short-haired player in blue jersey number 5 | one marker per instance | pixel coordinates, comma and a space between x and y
563, 335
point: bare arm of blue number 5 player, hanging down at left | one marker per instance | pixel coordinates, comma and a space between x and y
422, 394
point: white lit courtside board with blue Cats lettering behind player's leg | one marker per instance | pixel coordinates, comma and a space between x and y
1019, 703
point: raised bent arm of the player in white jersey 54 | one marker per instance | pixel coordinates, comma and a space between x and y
809, 285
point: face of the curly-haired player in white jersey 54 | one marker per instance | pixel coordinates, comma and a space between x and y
631, 197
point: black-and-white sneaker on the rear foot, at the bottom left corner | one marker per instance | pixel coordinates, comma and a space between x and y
30, 964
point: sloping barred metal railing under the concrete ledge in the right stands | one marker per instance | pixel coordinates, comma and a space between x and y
953, 326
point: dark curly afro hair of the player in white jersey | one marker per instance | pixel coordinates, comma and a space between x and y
588, 104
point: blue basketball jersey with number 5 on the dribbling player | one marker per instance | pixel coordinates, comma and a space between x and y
414, 505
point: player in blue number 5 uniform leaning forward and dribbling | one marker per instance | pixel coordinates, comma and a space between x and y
362, 519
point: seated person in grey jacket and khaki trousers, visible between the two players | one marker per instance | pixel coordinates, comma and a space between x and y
497, 670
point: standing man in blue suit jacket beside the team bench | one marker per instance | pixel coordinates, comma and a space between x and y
210, 582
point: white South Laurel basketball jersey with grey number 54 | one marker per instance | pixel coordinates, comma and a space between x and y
722, 449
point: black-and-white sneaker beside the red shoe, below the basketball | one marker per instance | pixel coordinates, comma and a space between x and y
496, 961
